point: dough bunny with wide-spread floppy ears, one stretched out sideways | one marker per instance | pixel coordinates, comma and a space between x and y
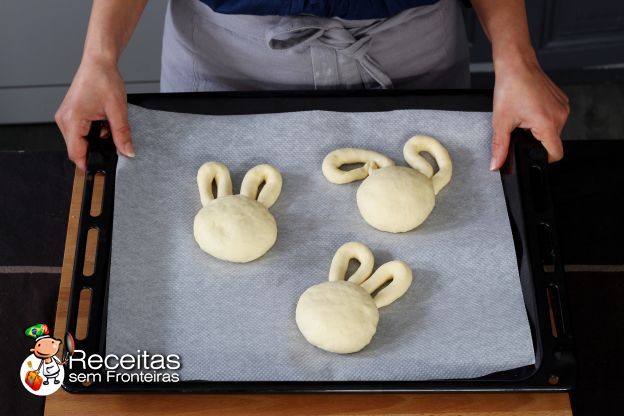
393, 198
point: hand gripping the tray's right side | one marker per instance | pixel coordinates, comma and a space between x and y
525, 97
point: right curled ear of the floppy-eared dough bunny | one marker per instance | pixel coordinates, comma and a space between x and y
418, 144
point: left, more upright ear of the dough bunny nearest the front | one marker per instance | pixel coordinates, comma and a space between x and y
340, 263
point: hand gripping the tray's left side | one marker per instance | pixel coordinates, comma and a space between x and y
97, 92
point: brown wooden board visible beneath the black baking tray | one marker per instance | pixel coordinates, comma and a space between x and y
63, 403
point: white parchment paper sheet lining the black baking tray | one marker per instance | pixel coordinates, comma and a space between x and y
463, 316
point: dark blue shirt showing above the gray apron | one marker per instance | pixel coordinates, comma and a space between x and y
345, 9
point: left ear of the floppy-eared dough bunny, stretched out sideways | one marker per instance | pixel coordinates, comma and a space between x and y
333, 161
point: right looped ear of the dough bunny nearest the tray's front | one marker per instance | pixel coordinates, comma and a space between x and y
401, 276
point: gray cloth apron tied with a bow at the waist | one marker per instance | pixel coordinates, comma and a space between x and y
422, 48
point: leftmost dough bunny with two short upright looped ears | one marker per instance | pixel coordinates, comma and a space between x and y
237, 228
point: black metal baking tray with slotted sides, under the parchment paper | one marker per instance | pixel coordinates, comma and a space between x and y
527, 194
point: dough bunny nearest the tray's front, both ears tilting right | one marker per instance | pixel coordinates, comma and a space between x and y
341, 315
